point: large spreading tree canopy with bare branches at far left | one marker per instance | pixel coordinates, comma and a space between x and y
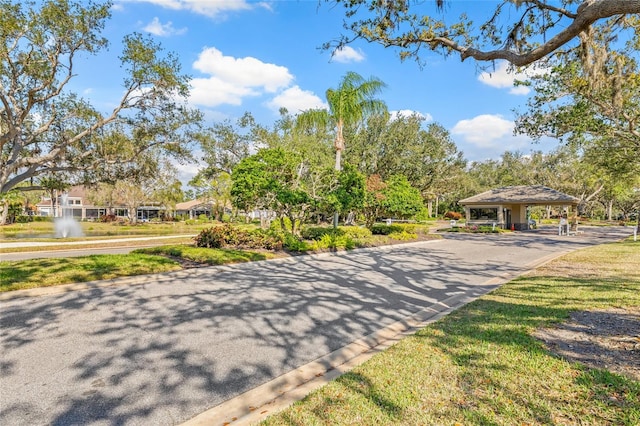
45, 129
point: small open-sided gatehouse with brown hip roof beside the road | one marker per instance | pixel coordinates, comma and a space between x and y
507, 207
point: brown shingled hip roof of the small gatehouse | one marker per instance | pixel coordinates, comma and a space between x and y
536, 194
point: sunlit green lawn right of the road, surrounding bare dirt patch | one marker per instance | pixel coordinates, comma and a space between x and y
481, 366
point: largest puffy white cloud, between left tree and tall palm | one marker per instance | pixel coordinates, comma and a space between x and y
231, 79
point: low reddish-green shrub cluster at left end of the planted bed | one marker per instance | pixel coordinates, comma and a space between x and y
230, 236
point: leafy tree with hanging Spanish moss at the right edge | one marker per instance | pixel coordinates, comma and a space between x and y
590, 98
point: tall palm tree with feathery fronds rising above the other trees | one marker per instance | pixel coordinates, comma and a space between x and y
350, 104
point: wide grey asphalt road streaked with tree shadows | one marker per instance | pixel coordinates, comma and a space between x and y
163, 351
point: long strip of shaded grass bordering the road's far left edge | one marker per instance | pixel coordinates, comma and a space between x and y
24, 274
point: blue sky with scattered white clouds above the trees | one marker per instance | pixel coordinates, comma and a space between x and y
261, 56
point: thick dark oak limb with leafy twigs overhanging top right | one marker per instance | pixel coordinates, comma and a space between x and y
519, 31
